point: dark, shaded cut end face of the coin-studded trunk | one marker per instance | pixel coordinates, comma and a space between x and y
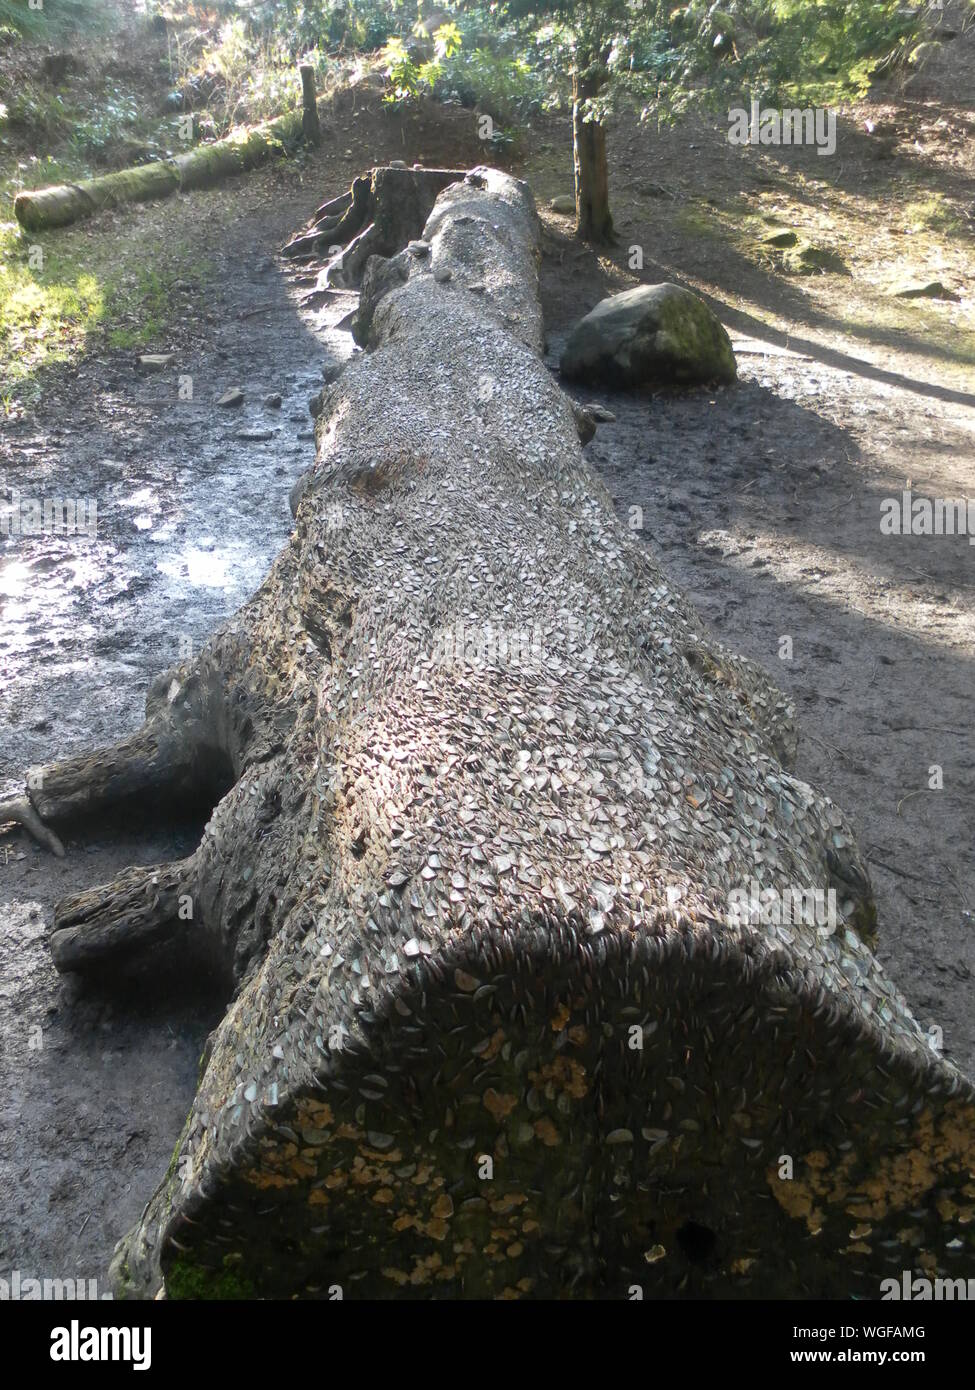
572, 1114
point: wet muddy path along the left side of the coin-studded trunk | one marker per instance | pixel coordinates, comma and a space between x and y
193, 505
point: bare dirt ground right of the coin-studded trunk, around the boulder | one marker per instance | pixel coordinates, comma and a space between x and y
764, 504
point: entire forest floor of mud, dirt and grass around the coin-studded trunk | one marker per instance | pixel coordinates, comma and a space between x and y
762, 502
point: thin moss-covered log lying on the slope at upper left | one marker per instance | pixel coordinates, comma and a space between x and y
44, 209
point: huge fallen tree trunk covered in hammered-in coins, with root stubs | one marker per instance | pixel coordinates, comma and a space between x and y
497, 1031
